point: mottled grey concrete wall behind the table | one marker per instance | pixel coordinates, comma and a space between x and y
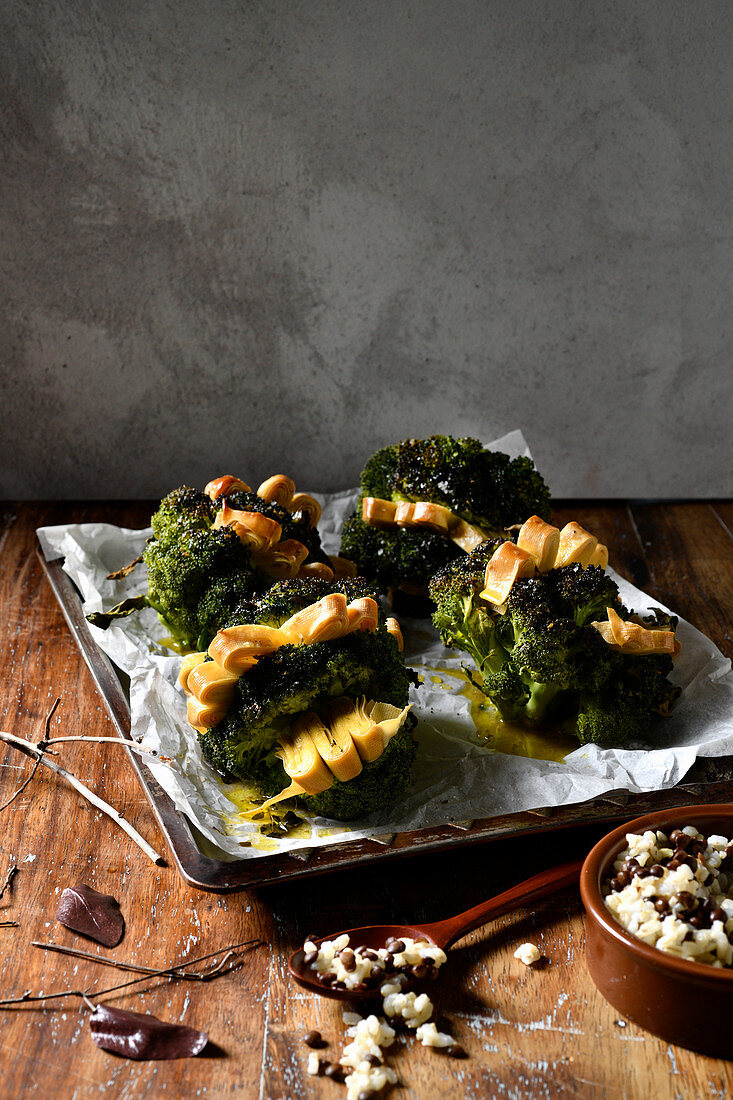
257, 238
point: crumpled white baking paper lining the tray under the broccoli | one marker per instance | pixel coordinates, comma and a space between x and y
456, 777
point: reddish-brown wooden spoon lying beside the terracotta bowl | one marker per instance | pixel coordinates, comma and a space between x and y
441, 933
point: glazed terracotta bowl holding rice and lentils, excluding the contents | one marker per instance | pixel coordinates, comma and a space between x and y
683, 1003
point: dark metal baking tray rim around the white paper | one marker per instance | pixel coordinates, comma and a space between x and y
709, 782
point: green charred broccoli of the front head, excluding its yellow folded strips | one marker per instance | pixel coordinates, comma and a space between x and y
297, 679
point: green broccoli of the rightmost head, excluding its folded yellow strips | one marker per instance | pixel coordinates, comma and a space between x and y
540, 658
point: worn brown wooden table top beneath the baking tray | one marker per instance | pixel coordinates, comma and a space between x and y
541, 1033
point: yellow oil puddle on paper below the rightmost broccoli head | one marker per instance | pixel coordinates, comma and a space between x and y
537, 743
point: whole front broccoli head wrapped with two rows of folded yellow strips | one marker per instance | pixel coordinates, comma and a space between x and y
321, 712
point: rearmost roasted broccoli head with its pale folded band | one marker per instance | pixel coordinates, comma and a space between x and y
473, 488
